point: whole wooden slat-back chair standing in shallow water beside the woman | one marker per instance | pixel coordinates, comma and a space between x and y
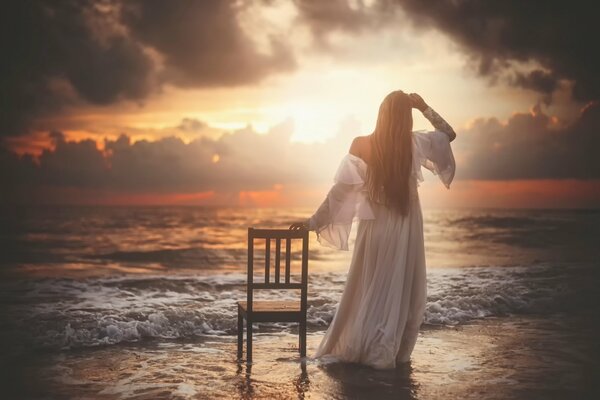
274, 311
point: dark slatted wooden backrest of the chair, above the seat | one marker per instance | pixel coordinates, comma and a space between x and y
278, 281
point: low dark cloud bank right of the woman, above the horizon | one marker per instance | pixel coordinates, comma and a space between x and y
531, 146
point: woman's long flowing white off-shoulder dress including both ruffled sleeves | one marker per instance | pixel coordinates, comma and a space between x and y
381, 309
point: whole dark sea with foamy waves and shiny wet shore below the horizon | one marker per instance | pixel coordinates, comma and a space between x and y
140, 302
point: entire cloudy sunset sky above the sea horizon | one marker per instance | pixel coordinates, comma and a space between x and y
254, 103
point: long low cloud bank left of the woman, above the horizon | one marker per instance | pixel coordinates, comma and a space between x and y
242, 160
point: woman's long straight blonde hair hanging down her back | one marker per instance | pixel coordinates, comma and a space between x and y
391, 153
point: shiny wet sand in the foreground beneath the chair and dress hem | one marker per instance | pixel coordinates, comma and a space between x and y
495, 358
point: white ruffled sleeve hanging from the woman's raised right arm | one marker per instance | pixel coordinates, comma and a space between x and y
432, 150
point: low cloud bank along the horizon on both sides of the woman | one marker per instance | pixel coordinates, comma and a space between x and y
528, 146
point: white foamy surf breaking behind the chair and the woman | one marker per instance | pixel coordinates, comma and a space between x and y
66, 313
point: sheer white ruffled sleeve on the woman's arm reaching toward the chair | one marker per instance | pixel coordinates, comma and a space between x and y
345, 200
